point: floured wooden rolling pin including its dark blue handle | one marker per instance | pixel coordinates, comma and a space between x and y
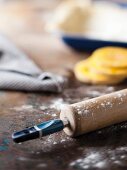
83, 117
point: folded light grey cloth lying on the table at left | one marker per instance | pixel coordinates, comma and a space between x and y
18, 72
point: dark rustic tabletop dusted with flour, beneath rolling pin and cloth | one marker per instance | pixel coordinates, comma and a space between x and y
104, 149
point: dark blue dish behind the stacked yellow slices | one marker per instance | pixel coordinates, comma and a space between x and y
87, 44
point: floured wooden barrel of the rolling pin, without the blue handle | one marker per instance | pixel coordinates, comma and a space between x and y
95, 113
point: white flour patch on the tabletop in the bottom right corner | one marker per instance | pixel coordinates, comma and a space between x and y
100, 159
